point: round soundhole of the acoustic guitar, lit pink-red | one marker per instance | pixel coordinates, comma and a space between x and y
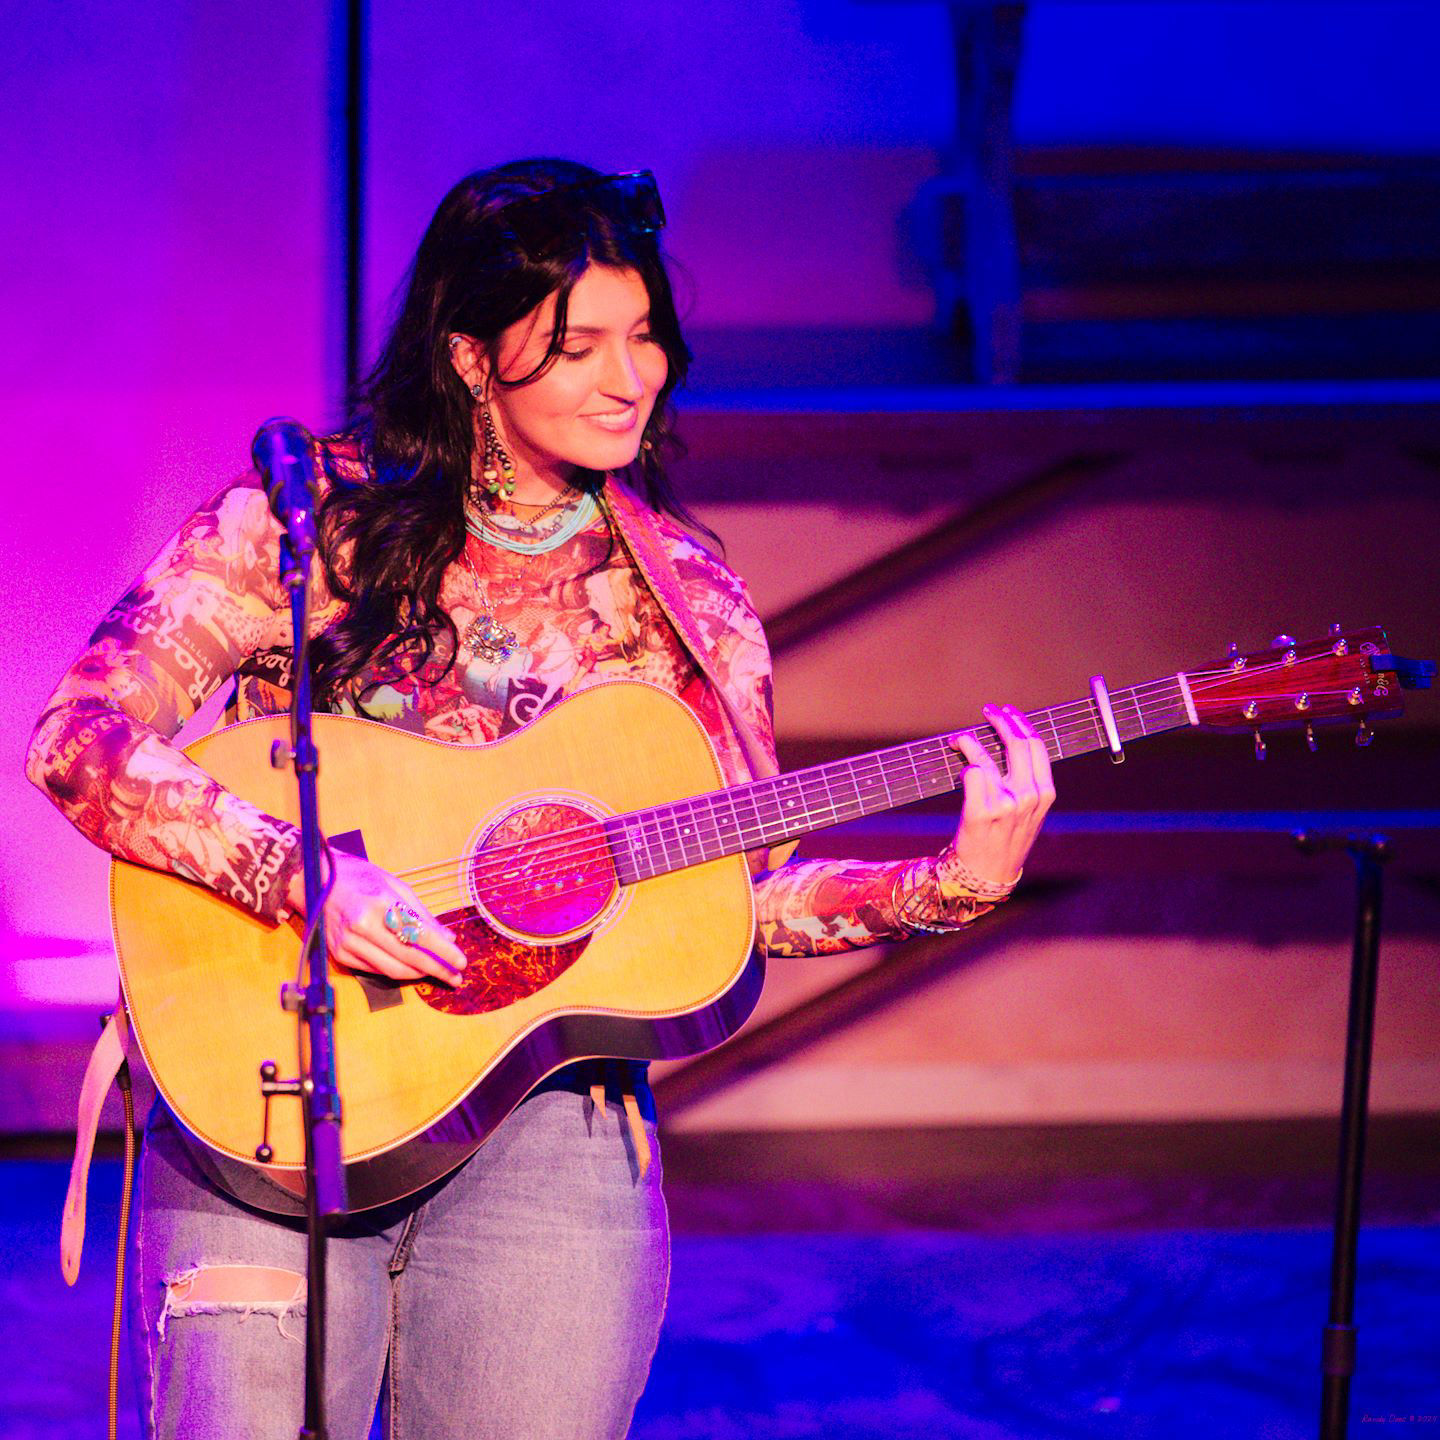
544, 872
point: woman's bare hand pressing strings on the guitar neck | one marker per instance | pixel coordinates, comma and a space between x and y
1003, 813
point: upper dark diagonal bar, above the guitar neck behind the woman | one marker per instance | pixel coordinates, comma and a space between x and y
912, 562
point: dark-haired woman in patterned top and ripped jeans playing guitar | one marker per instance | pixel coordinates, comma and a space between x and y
485, 555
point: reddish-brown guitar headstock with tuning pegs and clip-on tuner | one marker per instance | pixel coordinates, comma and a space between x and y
1346, 676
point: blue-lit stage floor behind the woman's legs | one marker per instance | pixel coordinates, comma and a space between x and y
839, 1328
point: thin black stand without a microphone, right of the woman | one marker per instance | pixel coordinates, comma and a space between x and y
1338, 1337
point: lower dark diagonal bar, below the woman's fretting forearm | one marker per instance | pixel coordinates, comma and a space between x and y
902, 973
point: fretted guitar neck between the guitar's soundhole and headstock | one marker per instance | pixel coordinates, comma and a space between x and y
774, 811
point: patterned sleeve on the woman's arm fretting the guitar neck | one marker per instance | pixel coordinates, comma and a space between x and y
819, 906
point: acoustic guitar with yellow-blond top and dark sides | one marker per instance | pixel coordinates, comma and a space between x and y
593, 866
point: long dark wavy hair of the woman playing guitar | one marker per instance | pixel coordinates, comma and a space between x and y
390, 535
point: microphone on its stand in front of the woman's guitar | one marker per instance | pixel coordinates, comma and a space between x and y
313, 1002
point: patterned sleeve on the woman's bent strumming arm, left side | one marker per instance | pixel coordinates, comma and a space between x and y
102, 750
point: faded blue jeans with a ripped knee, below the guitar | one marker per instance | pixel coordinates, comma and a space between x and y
519, 1298
